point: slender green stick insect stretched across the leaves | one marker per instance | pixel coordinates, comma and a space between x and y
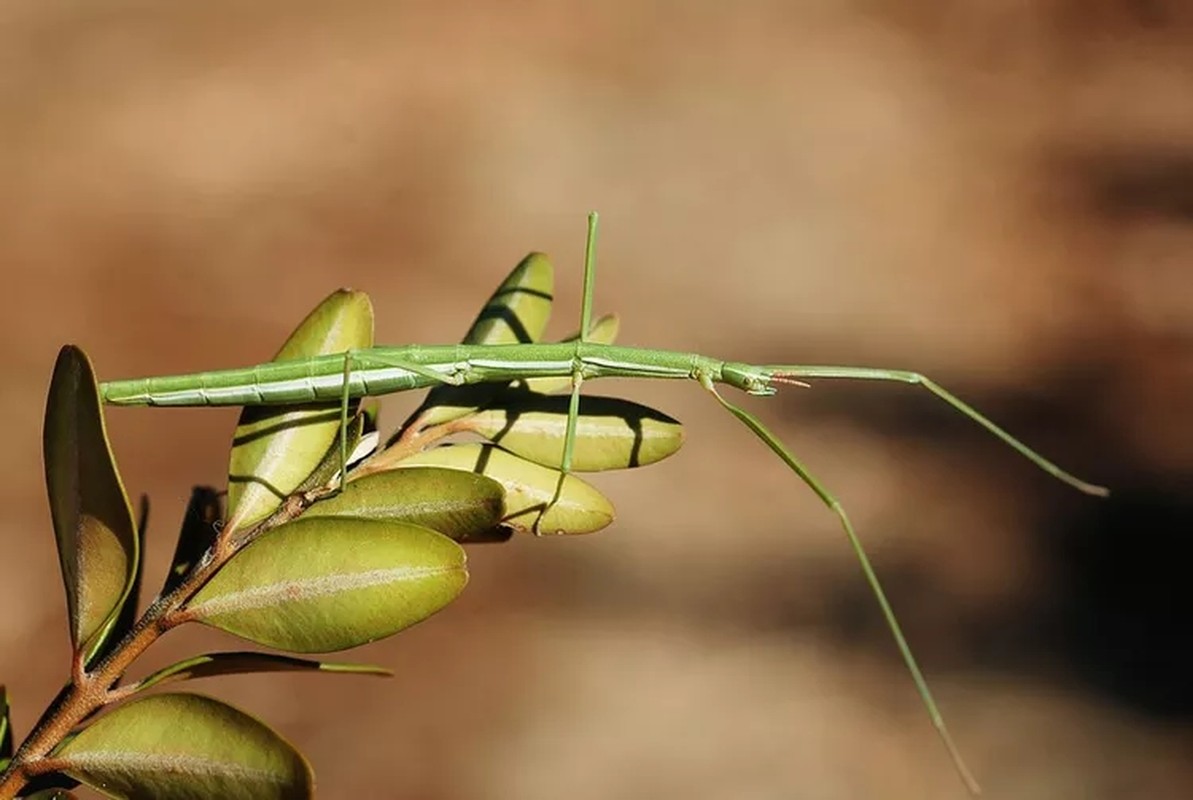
358, 374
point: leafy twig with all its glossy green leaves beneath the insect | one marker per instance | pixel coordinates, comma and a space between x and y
298, 557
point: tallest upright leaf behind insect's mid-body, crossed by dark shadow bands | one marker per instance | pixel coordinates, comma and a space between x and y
516, 314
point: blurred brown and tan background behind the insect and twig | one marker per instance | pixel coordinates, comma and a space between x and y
998, 195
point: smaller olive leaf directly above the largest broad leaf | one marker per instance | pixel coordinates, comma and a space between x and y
461, 506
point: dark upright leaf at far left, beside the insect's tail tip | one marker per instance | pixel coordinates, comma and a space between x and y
92, 517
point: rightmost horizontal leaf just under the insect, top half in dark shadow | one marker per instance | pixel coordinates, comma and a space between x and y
611, 433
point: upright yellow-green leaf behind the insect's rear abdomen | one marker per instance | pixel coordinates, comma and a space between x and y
277, 448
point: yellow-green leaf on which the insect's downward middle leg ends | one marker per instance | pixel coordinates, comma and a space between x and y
529, 489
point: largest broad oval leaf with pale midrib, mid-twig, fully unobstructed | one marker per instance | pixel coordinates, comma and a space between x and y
331, 584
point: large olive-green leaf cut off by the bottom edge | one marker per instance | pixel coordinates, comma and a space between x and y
184, 747
